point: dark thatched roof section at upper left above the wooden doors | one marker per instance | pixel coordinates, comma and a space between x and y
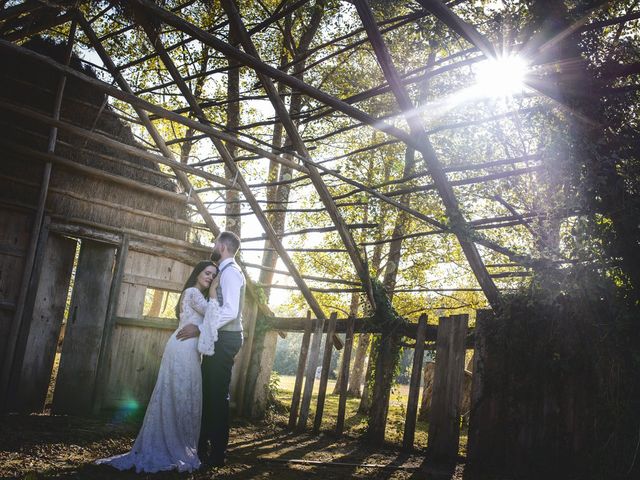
101, 196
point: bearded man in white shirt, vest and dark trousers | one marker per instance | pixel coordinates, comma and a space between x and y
216, 368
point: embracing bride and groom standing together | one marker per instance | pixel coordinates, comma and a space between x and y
187, 420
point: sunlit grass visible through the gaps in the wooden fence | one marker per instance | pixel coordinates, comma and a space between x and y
356, 424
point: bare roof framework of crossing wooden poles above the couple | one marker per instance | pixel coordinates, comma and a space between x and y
22, 20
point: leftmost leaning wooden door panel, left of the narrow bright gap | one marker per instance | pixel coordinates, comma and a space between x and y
48, 312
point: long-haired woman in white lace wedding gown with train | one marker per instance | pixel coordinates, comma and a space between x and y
168, 438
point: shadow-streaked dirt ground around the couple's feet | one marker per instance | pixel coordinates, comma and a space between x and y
42, 446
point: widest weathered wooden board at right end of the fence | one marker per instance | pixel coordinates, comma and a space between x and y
444, 426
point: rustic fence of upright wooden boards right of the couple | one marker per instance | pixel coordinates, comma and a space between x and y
451, 341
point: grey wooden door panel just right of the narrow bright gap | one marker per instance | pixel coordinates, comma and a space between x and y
83, 336
